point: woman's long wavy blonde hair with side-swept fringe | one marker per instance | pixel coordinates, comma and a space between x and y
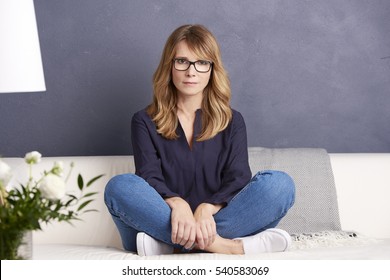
216, 111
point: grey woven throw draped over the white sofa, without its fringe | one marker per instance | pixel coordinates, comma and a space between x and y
315, 207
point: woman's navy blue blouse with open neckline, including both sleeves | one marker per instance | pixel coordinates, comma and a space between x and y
213, 171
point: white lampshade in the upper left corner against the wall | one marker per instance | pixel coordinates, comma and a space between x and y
20, 56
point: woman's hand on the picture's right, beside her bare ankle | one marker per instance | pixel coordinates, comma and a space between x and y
206, 229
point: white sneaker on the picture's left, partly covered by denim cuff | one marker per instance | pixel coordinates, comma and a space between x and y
148, 246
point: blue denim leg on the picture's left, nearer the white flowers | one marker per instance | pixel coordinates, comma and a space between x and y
135, 207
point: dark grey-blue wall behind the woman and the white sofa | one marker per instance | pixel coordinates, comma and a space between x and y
303, 73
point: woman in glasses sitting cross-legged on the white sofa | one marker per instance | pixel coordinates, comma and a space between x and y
193, 189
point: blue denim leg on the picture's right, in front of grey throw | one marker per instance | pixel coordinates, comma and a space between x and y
258, 206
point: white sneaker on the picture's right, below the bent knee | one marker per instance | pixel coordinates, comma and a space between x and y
270, 240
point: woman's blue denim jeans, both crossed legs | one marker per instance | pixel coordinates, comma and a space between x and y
135, 207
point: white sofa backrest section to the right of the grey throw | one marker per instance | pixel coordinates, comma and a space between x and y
363, 192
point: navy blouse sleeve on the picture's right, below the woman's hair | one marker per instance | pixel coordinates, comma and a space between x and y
236, 172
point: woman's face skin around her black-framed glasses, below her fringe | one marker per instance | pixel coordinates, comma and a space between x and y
189, 82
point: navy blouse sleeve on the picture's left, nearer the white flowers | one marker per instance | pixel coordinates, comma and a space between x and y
146, 159
